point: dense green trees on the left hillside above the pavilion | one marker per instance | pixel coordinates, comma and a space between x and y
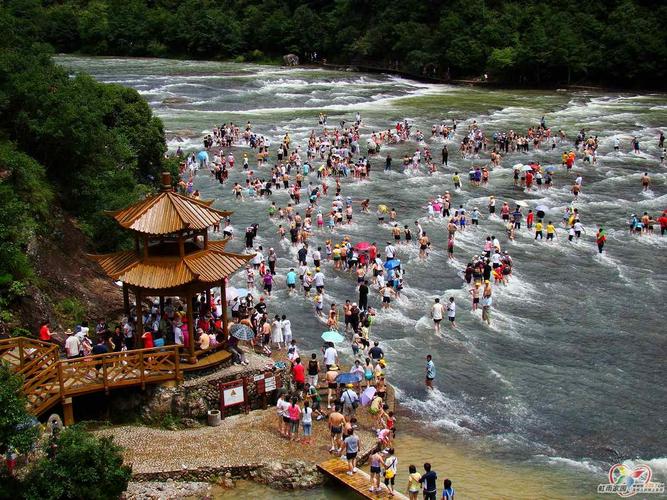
70, 148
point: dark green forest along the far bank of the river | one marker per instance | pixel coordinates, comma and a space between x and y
614, 42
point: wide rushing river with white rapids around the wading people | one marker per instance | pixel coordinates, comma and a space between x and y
570, 377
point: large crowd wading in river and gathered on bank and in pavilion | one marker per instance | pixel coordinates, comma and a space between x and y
329, 156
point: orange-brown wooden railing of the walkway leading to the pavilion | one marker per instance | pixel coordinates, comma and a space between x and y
48, 379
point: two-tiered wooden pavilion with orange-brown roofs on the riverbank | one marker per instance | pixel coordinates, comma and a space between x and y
172, 255
